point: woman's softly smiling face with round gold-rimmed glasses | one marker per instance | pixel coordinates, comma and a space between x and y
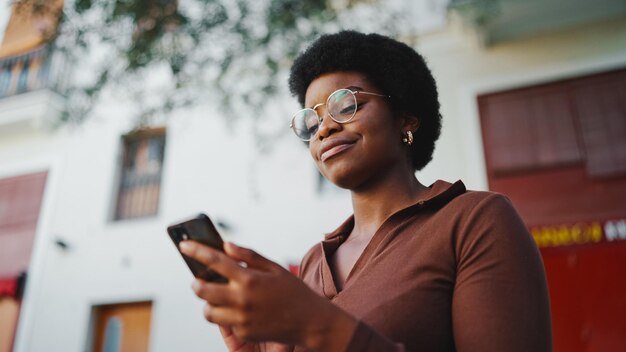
361, 152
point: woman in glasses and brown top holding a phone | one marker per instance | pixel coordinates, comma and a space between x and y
415, 268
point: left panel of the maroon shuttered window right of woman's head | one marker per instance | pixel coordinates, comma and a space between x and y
530, 130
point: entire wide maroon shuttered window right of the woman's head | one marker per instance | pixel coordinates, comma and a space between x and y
580, 121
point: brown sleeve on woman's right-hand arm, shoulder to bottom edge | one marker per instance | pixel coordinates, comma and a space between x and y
500, 300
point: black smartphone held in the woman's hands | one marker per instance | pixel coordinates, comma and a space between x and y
200, 229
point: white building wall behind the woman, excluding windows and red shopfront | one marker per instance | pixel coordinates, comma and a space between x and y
83, 258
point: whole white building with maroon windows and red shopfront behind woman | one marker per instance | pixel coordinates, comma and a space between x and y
83, 210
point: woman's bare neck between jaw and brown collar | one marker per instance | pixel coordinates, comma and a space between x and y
377, 201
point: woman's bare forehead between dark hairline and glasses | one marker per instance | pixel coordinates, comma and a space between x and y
321, 87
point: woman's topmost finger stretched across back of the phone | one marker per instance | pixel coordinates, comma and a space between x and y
212, 258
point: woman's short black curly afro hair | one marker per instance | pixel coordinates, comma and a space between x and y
394, 67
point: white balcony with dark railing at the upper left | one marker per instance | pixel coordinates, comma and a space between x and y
29, 86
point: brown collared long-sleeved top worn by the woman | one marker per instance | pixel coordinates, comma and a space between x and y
457, 271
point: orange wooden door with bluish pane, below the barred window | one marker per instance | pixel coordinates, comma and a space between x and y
122, 327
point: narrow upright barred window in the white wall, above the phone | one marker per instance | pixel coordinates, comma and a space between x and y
140, 180
